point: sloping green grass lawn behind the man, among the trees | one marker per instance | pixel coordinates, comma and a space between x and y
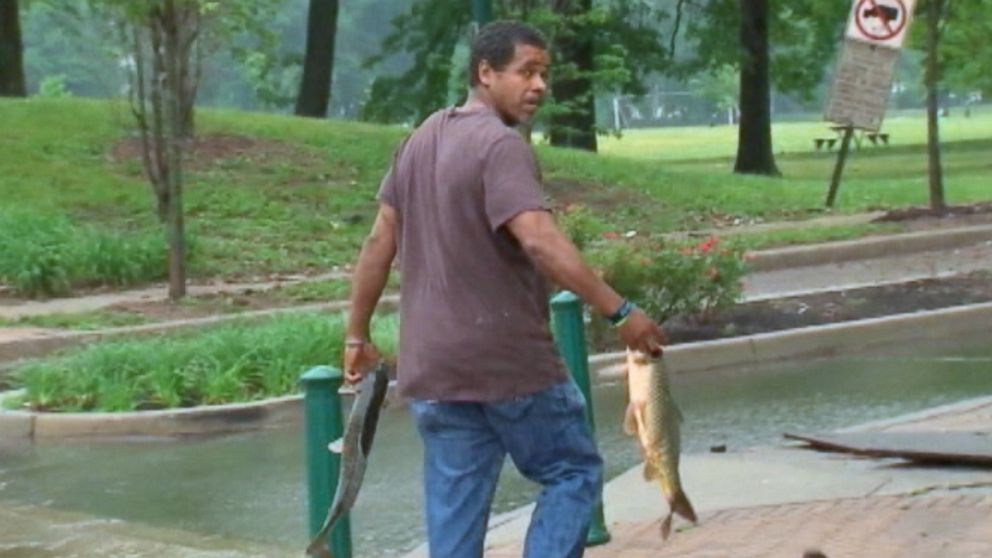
271, 193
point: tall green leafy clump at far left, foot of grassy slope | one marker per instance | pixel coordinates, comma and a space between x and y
49, 255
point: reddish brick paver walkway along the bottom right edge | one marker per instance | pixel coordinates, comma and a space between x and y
953, 525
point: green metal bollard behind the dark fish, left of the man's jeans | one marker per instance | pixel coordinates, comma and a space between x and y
323, 425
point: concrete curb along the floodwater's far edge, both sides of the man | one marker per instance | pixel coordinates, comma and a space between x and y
810, 342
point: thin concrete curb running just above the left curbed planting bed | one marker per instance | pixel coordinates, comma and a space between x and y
40, 345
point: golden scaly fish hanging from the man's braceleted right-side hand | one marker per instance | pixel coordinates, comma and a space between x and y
653, 417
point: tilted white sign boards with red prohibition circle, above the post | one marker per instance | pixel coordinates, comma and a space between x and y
862, 83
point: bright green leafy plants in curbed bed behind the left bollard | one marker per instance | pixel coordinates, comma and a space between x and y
237, 362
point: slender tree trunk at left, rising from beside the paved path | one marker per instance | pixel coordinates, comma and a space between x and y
174, 122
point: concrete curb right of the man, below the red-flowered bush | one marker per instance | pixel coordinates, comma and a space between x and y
815, 341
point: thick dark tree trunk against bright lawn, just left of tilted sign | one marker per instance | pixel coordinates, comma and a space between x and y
754, 133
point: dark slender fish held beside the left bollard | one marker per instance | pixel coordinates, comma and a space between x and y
357, 444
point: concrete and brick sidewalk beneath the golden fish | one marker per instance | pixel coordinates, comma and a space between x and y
771, 502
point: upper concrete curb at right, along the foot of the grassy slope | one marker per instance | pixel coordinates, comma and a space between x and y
867, 248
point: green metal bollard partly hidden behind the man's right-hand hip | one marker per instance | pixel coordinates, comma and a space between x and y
570, 335
